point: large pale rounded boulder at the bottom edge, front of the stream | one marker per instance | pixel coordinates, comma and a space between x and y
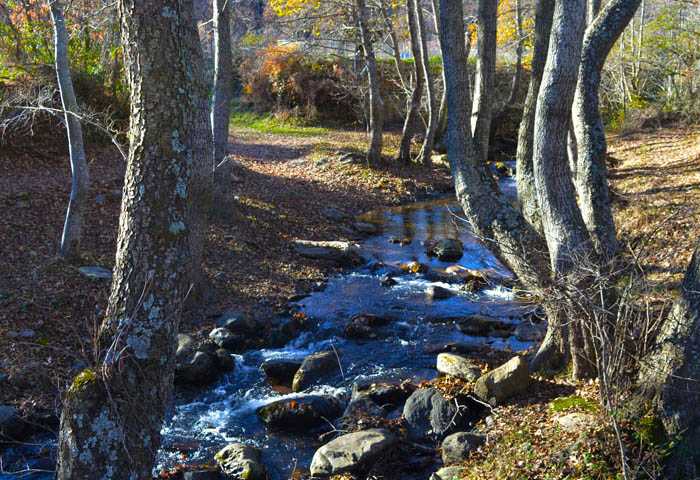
353, 452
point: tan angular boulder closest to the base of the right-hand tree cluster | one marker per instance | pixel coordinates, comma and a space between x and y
511, 378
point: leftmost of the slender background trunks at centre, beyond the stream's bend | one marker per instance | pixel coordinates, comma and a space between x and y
376, 104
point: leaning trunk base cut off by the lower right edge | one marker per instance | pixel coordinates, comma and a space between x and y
669, 375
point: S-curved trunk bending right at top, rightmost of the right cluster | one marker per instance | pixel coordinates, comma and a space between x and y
592, 172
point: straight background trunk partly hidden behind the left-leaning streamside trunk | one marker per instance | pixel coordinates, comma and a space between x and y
482, 104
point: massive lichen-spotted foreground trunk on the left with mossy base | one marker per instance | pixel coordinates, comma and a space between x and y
113, 413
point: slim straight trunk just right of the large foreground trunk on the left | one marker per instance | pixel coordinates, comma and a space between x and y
221, 101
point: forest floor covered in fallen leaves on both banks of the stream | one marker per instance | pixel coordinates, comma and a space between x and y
284, 184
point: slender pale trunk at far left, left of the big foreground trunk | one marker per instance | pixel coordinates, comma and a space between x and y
80, 177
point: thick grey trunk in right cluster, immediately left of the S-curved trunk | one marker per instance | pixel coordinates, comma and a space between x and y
568, 241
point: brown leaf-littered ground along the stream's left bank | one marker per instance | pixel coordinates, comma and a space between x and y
48, 310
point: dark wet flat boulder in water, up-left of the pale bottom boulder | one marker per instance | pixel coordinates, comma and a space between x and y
300, 413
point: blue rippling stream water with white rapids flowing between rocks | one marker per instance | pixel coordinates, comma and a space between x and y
225, 412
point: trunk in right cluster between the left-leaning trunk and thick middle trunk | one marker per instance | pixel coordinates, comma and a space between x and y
525, 178
